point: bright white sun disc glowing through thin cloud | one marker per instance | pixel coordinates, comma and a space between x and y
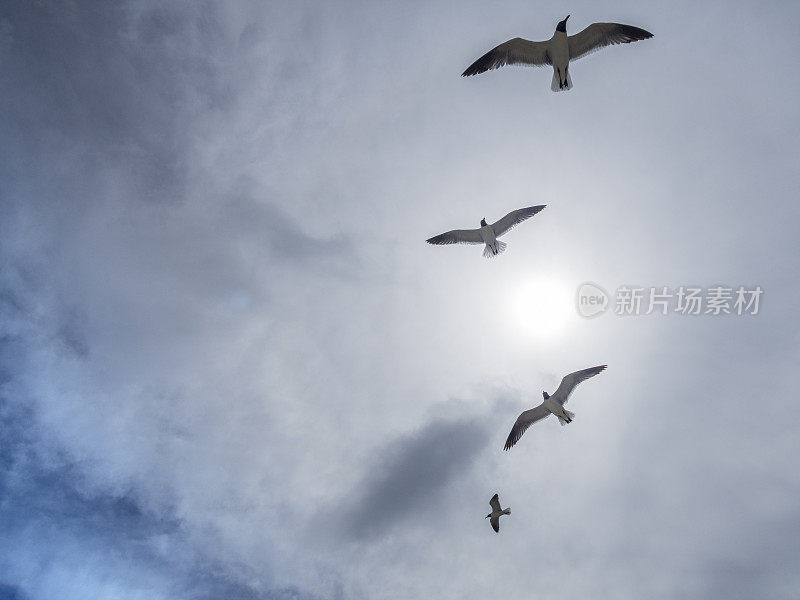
542, 307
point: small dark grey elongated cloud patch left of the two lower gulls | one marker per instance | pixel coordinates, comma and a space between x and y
411, 474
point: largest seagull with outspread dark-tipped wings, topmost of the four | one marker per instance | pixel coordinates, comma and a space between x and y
558, 50
